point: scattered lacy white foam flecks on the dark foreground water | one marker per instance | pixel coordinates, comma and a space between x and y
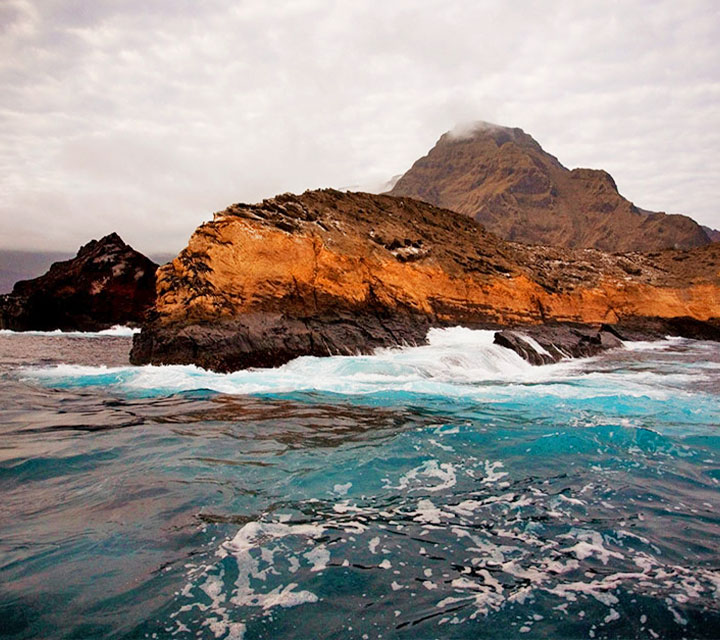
269, 552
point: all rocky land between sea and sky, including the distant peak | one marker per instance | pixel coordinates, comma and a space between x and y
330, 272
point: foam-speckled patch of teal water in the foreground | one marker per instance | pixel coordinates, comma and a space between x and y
456, 542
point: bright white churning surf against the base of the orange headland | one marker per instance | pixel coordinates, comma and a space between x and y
452, 362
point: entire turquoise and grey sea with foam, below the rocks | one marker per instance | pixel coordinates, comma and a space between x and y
444, 491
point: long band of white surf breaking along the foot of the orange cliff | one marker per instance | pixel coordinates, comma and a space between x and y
458, 363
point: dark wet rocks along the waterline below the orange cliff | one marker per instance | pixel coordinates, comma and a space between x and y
270, 340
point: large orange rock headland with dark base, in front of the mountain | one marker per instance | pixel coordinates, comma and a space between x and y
341, 273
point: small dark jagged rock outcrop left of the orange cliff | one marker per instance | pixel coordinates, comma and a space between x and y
107, 283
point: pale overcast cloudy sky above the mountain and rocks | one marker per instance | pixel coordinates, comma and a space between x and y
146, 116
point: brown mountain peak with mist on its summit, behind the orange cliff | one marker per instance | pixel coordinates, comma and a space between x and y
503, 178
